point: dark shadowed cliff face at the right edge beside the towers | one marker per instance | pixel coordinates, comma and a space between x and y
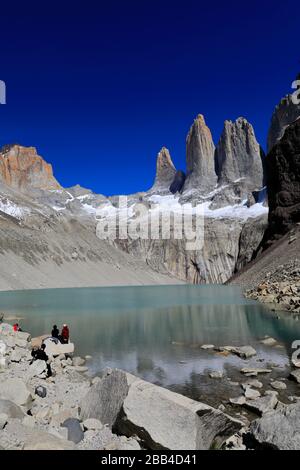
283, 177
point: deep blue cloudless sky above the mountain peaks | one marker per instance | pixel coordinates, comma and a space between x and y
100, 87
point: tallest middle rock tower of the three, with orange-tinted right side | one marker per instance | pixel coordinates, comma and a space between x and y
200, 149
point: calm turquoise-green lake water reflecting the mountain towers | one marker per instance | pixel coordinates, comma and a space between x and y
156, 332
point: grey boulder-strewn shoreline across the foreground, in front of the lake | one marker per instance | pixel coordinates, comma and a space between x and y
119, 411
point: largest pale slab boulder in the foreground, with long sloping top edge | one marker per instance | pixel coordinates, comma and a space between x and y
166, 420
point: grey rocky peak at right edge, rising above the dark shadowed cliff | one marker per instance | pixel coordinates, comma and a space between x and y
284, 114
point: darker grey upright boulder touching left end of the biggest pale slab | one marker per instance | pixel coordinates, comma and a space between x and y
104, 400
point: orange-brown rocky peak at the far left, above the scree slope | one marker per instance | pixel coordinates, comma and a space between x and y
23, 169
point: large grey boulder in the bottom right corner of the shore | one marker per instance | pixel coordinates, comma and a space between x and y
278, 429
